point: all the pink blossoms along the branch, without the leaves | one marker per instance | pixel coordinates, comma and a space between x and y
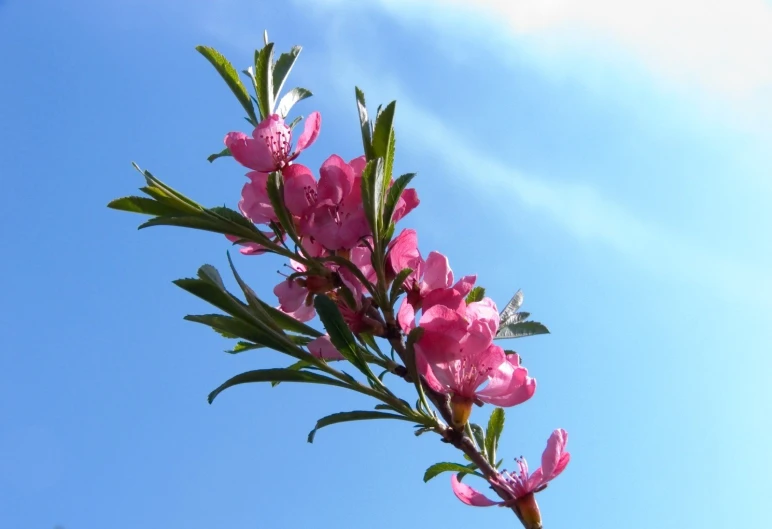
455, 353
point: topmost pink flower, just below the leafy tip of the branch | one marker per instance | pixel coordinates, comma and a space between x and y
269, 148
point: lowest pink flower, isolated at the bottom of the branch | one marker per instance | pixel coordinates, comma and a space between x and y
520, 484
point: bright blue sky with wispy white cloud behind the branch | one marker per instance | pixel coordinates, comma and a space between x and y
612, 161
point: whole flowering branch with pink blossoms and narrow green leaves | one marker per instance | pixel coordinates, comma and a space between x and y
349, 270
